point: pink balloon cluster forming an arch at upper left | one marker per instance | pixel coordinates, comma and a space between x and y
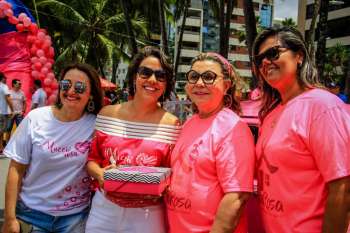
41, 50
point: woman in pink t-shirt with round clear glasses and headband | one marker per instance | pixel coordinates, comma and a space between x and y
213, 160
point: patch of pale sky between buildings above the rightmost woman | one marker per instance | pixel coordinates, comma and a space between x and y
286, 9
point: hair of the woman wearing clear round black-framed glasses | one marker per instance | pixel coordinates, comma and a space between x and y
229, 74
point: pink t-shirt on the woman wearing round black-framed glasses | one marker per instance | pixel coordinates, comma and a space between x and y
212, 157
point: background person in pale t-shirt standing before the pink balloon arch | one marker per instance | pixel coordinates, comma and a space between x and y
19, 105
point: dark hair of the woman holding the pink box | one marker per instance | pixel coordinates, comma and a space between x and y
150, 51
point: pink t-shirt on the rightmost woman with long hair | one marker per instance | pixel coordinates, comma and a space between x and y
303, 145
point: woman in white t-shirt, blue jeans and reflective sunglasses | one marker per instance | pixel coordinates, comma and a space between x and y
48, 154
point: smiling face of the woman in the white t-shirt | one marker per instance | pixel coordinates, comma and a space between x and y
70, 99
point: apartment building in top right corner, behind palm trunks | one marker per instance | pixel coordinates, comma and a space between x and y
338, 30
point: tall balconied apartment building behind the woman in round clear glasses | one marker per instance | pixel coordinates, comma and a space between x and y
202, 35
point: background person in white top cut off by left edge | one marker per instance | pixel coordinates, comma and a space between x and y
6, 108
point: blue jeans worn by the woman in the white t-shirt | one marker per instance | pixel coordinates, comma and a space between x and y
45, 223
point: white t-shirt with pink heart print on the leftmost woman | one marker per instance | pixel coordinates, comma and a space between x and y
55, 182
